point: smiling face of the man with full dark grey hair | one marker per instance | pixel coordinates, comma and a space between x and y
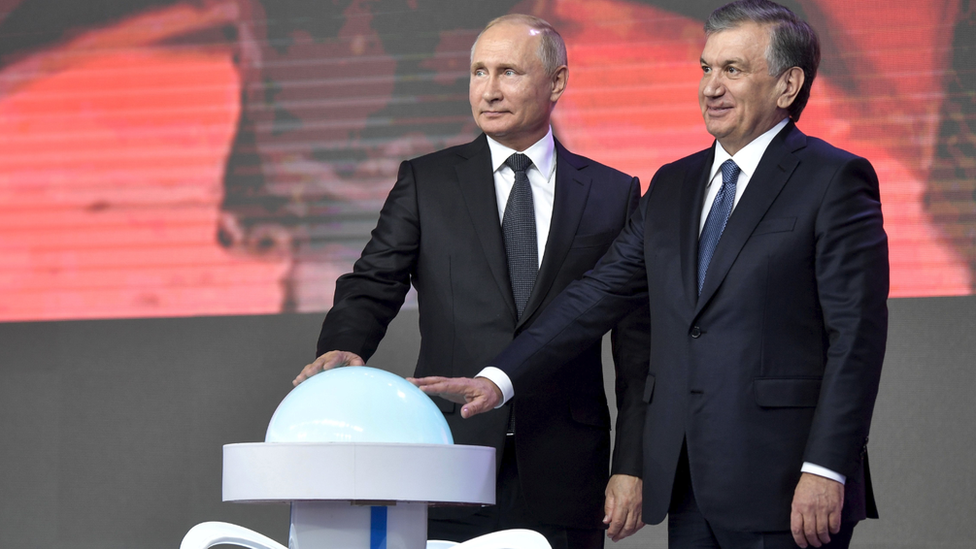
738, 97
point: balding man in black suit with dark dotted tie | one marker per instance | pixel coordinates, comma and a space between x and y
451, 227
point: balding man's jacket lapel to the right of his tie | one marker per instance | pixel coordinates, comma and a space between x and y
572, 189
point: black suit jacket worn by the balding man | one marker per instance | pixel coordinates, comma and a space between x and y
439, 229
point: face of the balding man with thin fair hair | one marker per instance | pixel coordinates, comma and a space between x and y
511, 95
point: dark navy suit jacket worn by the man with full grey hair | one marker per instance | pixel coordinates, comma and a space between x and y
778, 360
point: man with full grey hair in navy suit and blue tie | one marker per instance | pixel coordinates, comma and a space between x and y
768, 325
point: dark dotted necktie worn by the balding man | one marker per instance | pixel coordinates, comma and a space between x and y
518, 228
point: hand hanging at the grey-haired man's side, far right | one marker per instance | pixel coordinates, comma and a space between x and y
817, 502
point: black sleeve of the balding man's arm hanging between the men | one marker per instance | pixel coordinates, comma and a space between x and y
630, 341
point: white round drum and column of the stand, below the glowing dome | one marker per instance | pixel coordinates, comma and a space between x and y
358, 495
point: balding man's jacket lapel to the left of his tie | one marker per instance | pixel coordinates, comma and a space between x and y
477, 185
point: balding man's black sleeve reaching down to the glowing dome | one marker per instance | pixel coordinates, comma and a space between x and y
368, 298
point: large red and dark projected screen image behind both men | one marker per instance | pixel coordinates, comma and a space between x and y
163, 158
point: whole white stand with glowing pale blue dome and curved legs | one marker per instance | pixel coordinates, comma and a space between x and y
382, 453
